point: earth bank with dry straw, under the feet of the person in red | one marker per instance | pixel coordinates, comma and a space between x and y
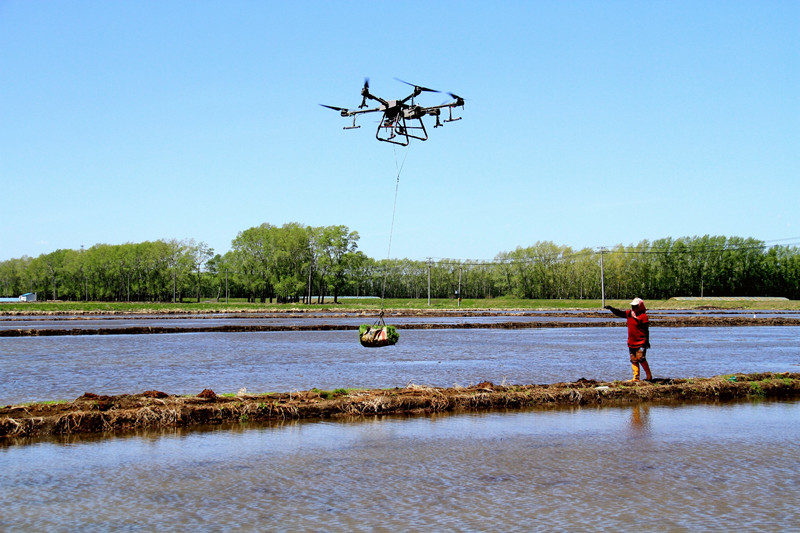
92, 413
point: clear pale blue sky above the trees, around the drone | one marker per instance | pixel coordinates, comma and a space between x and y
586, 123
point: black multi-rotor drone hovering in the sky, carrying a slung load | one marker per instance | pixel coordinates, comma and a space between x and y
402, 119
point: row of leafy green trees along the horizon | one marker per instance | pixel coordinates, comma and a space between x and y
298, 263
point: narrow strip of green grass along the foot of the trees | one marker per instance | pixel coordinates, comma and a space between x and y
354, 304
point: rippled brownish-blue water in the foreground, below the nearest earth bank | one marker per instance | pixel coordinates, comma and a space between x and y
657, 468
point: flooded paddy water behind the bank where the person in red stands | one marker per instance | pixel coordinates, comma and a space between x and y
48, 368
